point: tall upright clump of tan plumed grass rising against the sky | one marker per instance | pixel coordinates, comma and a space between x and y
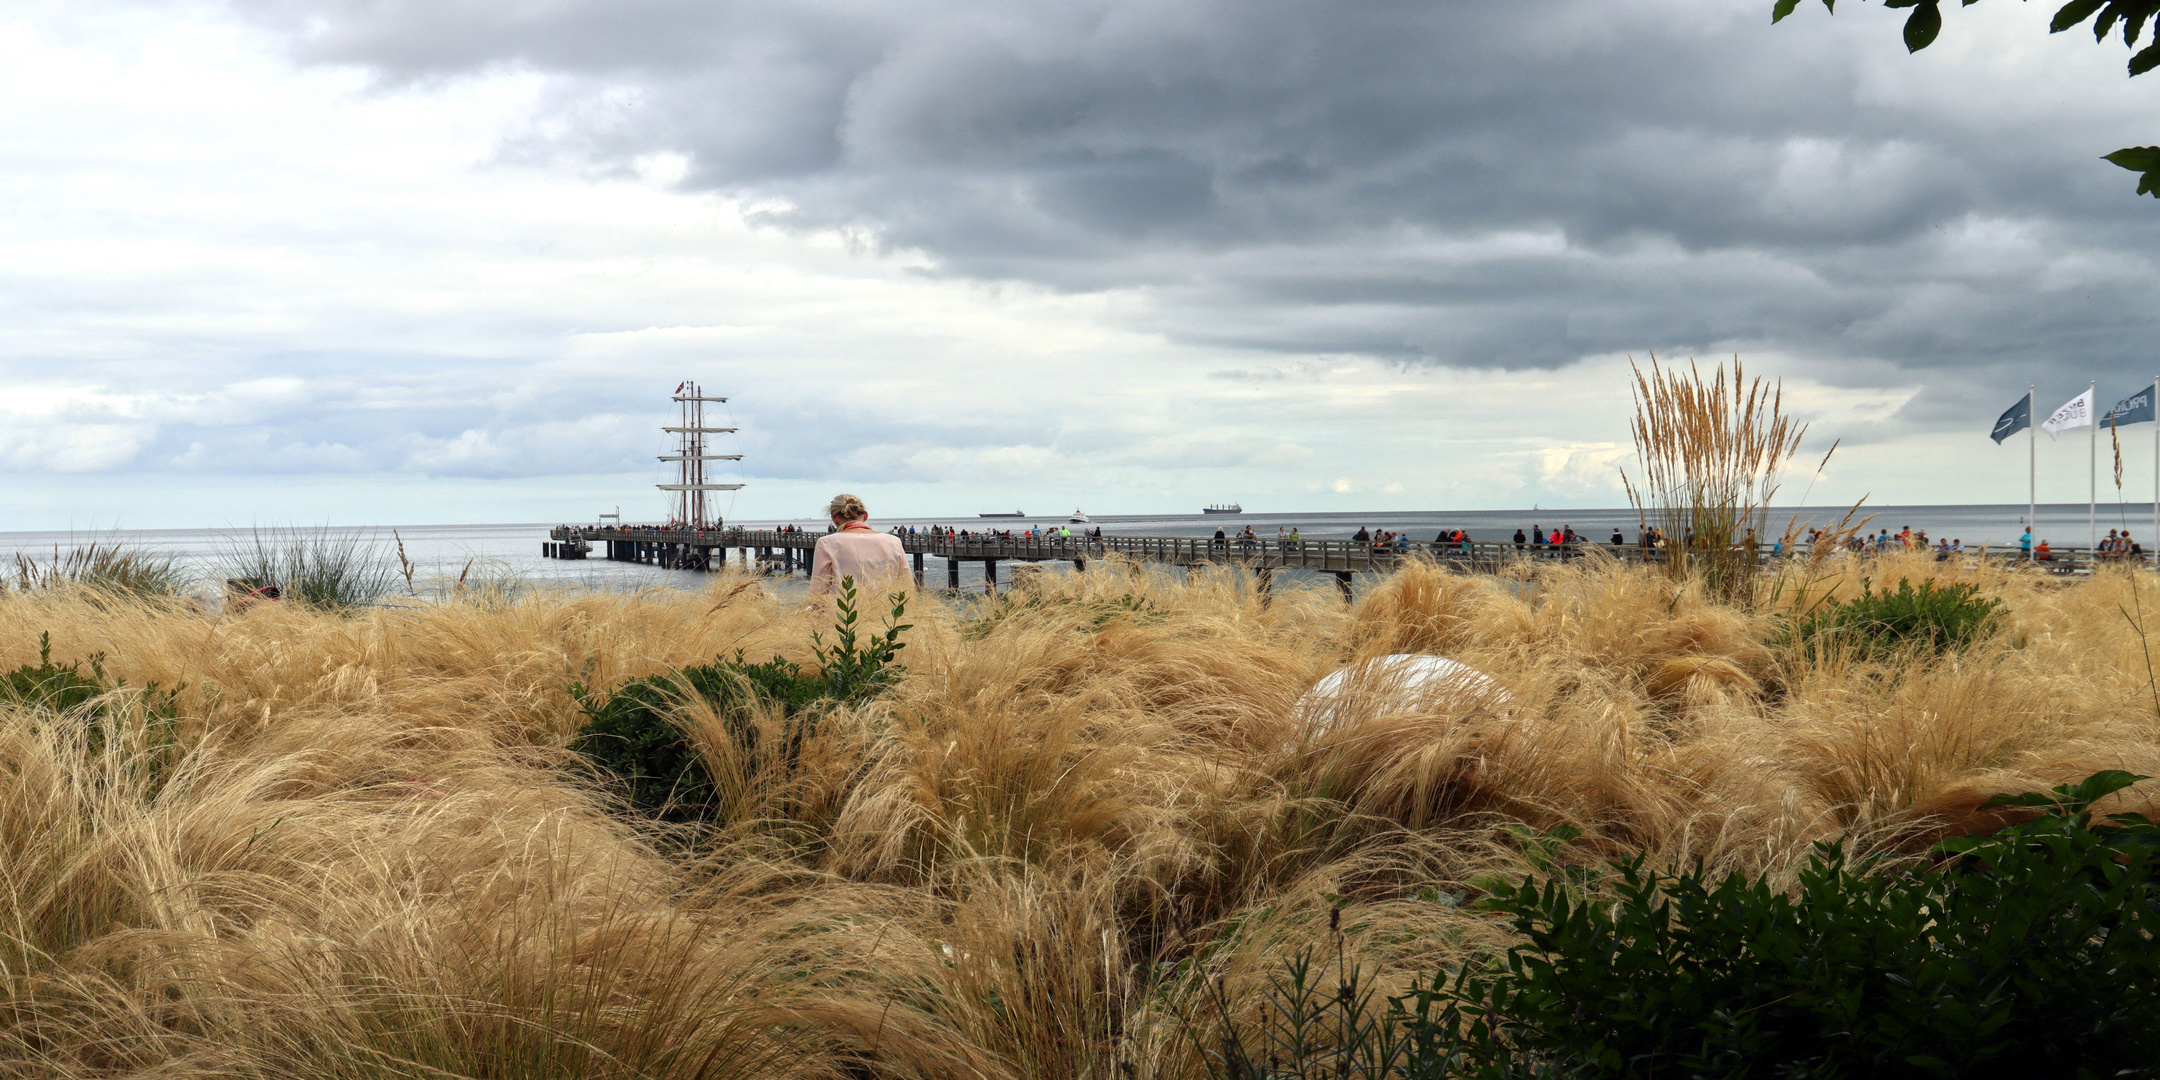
1710, 453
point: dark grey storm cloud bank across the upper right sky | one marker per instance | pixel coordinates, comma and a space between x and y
1457, 183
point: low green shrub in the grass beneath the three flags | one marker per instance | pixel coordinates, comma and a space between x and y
1932, 619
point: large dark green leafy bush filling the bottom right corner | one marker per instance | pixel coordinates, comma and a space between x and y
2023, 954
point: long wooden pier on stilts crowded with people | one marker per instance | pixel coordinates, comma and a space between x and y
789, 552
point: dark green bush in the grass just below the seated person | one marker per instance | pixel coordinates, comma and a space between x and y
632, 735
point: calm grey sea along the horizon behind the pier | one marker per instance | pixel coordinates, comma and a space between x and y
446, 552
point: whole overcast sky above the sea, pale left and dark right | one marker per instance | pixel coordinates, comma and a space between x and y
444, 260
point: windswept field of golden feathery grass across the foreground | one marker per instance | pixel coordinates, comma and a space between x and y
347, 843
